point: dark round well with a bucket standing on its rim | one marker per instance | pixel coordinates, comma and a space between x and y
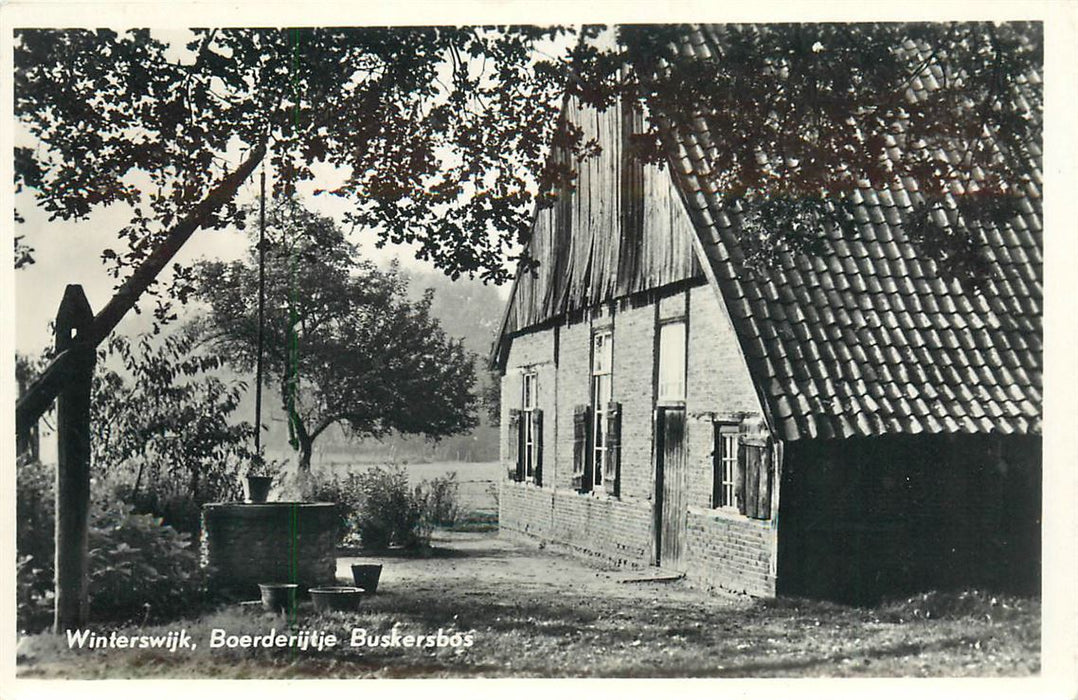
247, 544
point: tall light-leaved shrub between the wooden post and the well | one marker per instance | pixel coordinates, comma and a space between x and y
165, 437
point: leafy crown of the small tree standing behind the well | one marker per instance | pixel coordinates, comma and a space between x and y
368, 359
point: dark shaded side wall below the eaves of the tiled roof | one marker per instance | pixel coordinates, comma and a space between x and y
867, 519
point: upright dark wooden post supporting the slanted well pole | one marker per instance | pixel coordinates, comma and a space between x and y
73, 471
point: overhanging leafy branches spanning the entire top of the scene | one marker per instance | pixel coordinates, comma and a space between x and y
441, 134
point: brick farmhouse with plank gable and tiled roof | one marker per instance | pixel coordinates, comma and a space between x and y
845, 426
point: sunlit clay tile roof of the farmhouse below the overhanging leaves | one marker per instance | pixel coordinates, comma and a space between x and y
929, 355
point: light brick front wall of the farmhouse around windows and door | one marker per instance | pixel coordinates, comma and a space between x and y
723, 550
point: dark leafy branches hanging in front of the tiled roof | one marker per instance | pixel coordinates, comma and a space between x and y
795, 120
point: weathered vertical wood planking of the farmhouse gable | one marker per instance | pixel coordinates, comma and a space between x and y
601, 242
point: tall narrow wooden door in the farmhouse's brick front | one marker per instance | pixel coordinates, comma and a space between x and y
671, 486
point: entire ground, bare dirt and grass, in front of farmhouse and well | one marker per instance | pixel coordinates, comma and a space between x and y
534, 612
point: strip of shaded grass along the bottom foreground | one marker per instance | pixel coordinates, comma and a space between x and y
543, 639
